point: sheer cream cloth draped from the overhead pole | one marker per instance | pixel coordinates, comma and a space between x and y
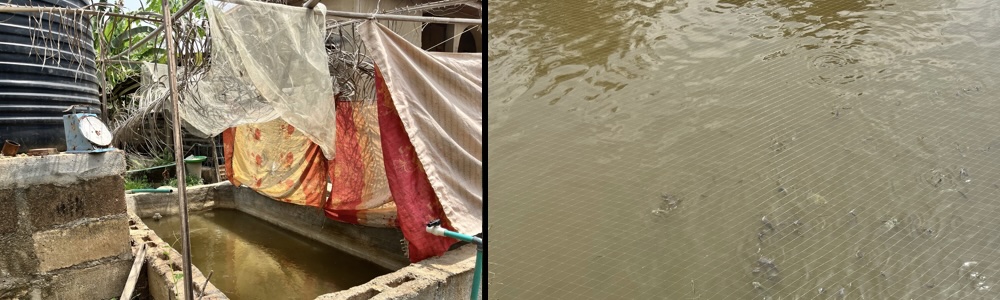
268, 61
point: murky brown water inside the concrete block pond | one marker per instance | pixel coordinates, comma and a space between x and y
253, 259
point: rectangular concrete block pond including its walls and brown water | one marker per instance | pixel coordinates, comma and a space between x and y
257, 248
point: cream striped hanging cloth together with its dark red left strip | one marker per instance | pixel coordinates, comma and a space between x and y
430, 116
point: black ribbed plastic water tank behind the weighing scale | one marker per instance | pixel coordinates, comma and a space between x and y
46, 66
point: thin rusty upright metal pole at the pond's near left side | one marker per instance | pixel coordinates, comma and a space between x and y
178, 150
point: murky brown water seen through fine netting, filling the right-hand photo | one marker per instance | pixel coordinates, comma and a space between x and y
744, 149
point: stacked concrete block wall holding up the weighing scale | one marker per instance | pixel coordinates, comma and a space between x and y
63, 227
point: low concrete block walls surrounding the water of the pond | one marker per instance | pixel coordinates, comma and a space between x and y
445, 277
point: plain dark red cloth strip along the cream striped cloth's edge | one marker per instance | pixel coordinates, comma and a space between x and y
415, 200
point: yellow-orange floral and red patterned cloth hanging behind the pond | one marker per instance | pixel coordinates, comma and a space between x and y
360, 193
